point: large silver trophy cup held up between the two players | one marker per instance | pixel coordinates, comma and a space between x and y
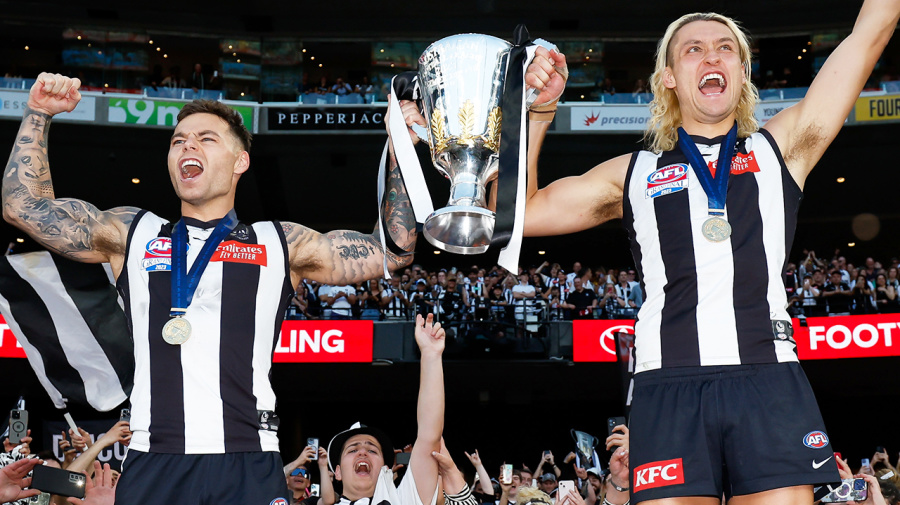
461, 81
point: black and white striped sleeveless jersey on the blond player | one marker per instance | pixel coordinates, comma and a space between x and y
709, 303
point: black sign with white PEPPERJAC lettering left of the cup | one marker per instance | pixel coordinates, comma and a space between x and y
337, 117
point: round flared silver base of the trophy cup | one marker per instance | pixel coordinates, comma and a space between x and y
460, 229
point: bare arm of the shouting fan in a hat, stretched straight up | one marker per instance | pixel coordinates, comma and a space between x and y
430, 407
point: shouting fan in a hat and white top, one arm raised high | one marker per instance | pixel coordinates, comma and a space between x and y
362, 457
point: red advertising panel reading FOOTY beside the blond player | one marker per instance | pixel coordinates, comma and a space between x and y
849, 337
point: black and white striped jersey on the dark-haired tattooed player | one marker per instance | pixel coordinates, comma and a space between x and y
212, 394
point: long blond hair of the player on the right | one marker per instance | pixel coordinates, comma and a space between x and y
665, 112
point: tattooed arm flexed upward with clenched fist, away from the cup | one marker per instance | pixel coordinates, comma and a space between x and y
73, 228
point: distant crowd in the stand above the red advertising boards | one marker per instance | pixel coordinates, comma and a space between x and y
548, 292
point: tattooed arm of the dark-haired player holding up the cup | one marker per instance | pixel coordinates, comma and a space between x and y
347, 257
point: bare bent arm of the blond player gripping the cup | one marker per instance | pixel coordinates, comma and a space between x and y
573, 203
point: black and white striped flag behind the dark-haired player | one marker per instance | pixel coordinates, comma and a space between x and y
68, 319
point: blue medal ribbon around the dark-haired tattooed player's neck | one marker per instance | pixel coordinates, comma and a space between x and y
184, 283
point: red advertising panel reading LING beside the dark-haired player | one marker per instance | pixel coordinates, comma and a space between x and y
324, 342
